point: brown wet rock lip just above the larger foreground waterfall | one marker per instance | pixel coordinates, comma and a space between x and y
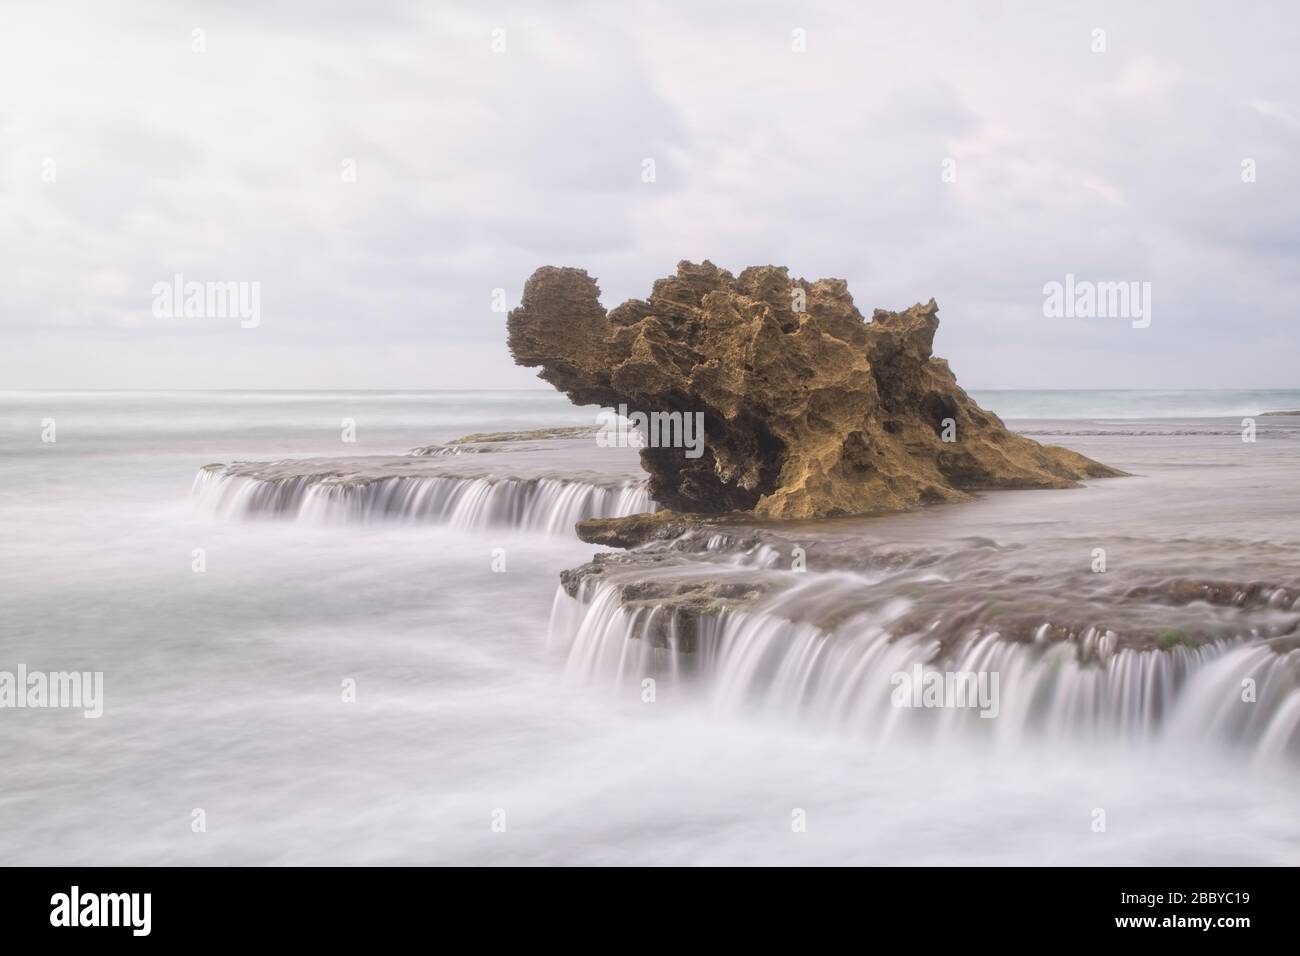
968, 590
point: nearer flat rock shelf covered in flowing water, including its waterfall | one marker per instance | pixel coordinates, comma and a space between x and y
1162, 612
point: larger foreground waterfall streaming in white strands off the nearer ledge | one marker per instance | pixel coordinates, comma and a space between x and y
770, 657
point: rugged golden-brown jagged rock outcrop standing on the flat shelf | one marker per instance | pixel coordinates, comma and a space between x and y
809, 410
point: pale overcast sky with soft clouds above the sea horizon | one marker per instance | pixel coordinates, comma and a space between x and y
387, 176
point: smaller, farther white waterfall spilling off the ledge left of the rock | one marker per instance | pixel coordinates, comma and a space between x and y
548, 505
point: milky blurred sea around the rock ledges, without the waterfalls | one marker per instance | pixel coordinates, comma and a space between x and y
223, 689
